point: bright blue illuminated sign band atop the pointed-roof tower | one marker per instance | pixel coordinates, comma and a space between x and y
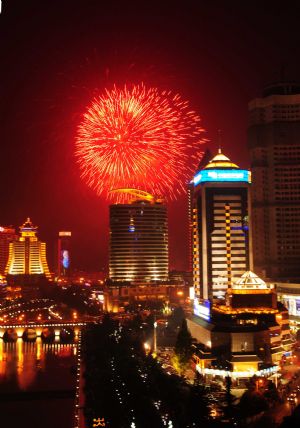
238, 175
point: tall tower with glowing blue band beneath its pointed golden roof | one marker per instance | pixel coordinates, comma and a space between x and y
221, 239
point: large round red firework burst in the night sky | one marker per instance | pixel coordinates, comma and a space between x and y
138, 138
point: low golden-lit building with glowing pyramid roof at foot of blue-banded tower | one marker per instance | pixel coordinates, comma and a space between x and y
248, 334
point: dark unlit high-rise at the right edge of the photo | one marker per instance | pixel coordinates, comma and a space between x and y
274, 144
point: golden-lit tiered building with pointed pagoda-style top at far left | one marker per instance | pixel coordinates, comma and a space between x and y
27, 255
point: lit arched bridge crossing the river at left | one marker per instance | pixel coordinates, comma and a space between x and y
33, 330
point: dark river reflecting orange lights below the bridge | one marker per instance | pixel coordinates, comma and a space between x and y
37, 384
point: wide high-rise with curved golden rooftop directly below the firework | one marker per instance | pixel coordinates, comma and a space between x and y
138, 249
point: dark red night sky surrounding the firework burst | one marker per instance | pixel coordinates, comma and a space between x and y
56, 54
